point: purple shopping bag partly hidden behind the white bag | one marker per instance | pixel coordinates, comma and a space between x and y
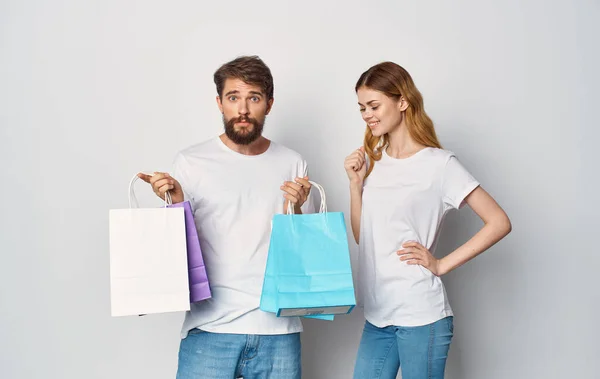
198, 280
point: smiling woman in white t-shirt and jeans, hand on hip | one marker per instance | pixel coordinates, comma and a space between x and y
399, 196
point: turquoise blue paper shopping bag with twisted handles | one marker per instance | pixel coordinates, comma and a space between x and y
308, 270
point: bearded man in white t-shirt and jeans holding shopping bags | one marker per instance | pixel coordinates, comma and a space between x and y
236, 183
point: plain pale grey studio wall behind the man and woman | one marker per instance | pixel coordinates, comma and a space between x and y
92, 92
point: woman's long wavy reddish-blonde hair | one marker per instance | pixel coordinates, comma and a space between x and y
395, 82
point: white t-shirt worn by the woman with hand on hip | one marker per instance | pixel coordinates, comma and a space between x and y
406, 200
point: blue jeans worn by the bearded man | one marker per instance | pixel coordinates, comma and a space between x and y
204, 355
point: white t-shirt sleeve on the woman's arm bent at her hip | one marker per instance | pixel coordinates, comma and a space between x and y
457, 183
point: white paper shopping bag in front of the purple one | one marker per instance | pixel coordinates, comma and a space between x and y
148, 259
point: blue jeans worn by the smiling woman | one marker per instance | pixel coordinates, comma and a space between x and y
419, 351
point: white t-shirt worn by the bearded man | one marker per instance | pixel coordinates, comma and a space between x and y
234, 197
